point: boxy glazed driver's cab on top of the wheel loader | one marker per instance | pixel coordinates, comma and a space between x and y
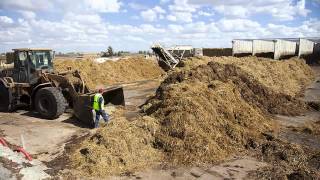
29, 62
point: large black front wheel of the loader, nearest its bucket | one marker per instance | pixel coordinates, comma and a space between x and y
50, 103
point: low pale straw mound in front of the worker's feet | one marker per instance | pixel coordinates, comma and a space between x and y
121, 148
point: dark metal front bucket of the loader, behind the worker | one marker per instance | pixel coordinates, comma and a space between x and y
82, 107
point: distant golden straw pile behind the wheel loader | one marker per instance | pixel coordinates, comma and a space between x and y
134, 68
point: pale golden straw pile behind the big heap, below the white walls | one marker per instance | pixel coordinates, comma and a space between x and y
288, 76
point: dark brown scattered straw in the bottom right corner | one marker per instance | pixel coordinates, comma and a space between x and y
287, 161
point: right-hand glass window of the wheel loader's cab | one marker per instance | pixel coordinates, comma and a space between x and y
41, 59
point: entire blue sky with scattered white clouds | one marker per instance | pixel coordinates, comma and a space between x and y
93, 25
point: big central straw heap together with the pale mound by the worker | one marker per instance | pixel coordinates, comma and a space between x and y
199, 115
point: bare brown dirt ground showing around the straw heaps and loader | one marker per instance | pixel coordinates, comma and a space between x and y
46, 139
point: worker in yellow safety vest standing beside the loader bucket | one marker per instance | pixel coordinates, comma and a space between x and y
98, 106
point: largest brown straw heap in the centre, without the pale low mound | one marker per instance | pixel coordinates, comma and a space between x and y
216, 109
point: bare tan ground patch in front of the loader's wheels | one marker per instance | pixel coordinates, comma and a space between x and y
45, 138
